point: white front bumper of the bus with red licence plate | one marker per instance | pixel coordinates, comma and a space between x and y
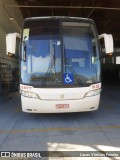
33, 105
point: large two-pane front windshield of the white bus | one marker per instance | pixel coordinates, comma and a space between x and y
58, 53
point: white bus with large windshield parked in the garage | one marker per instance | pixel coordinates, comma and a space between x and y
60, 65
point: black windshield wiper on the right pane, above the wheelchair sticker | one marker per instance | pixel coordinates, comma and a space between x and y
72, 70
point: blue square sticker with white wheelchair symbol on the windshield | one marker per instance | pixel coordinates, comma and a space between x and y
68, 78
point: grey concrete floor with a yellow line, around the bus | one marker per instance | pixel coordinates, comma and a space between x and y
88, 131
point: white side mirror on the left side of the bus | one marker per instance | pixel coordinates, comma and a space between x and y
11, 43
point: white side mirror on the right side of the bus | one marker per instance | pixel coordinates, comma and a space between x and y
108, 42
